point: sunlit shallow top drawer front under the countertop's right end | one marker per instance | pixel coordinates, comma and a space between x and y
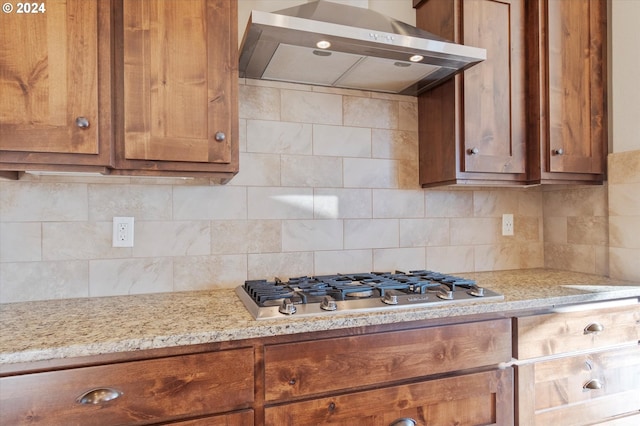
556, 333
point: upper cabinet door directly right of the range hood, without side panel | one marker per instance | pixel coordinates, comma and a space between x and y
494, 90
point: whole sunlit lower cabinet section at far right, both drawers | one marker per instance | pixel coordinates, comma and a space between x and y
579, 366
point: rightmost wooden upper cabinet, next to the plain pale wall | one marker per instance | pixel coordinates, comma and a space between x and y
569, 55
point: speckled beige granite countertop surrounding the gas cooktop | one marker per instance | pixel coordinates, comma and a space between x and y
39, 331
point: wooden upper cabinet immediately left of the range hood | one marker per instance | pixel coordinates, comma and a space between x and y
179, 86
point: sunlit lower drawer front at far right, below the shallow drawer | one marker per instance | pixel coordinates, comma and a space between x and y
560, 394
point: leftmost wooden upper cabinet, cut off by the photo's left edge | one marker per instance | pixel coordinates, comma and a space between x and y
54, 64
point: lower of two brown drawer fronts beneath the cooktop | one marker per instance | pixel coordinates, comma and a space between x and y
474, 399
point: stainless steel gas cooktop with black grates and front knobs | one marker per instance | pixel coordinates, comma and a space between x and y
368, 292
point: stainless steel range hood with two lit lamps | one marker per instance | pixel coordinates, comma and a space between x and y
329, 44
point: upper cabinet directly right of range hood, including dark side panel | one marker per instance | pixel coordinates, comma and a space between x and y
473, 128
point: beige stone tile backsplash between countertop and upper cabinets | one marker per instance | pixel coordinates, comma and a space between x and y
327, 183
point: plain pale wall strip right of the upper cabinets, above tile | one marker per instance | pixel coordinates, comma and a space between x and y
624, 54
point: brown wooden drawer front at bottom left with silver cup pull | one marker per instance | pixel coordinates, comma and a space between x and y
152, 390
